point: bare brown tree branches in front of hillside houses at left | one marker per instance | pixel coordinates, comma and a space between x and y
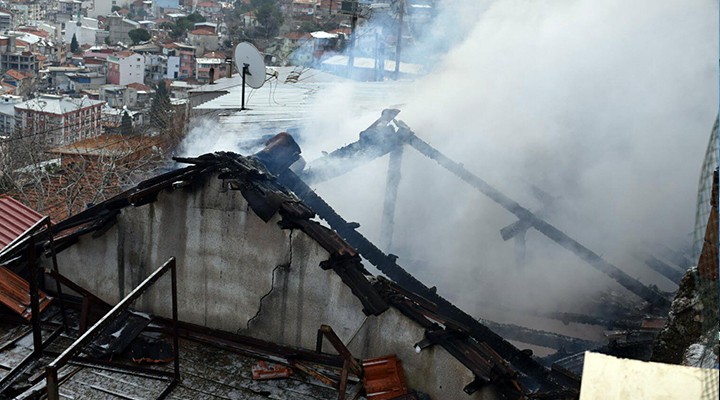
62, 181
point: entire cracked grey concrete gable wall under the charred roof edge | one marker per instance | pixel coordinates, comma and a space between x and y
239, 274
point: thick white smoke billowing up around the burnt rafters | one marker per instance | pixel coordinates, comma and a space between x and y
606, 106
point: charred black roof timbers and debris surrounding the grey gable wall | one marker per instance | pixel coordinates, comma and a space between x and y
83, 323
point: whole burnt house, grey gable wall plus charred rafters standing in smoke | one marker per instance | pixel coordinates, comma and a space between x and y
252, 270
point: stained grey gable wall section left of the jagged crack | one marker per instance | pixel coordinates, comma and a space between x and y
225, 255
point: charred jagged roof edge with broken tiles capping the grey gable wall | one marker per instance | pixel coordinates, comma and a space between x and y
266, 197
